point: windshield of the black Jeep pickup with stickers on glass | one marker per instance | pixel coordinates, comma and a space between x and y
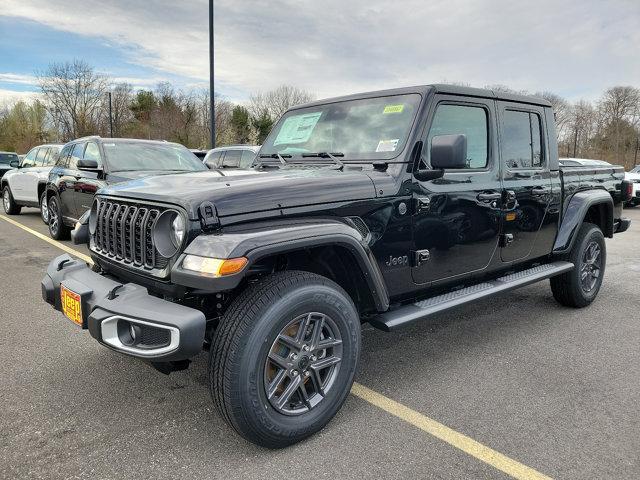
370, 128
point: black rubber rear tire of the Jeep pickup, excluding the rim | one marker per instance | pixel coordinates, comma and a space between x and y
567, 288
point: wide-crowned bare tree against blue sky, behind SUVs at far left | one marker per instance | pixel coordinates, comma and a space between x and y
74, 95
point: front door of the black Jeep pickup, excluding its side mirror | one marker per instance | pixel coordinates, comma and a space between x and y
456, 222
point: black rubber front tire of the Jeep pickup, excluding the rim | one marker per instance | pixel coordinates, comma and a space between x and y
244, 338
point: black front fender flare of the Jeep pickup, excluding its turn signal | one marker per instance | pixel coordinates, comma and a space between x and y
256, 244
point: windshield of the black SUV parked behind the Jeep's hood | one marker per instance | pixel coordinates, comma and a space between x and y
126, 156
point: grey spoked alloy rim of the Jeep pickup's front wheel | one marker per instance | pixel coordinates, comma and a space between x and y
303, 363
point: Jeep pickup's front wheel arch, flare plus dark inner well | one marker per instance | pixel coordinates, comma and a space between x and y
330, 248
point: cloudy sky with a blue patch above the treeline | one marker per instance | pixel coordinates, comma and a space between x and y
576, 48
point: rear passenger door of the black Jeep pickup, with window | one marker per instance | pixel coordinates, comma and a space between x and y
526, 179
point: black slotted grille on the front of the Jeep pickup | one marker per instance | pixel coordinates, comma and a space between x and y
124, 231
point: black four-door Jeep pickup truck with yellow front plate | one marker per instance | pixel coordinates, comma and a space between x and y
385, 207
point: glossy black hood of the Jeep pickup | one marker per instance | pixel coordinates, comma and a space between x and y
247, 191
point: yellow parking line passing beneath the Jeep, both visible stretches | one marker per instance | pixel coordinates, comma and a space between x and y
418, 420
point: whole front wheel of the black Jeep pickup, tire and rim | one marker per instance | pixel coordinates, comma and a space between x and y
284, 357
